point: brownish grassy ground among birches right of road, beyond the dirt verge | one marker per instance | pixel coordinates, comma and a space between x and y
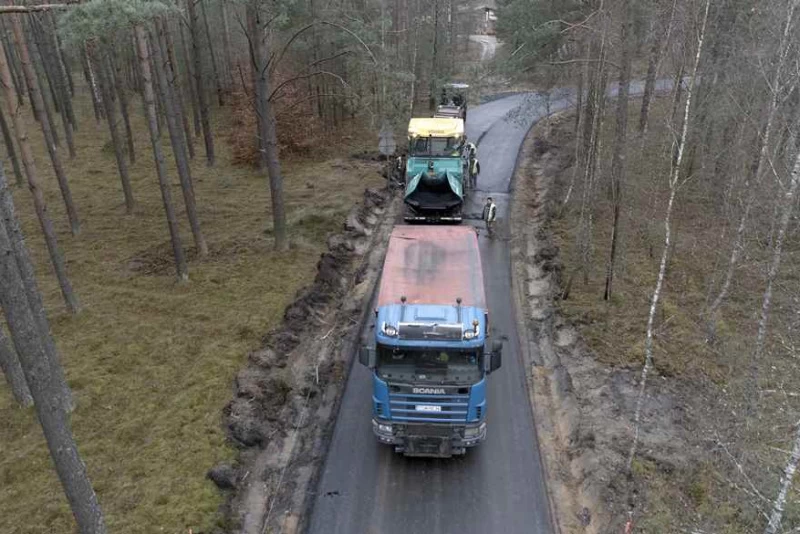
709, 492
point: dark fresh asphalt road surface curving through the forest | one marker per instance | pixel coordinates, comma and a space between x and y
497, 487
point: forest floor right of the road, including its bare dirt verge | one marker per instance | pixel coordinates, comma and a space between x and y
702, 466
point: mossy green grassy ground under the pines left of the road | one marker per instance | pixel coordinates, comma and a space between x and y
151, 362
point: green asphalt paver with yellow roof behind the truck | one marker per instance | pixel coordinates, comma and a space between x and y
435, 170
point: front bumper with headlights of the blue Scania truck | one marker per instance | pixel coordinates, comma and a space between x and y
431, 440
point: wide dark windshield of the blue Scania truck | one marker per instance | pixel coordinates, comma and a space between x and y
451, 366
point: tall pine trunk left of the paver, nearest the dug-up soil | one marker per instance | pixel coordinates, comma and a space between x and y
267, 130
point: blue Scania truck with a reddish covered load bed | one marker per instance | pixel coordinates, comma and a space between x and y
429, 360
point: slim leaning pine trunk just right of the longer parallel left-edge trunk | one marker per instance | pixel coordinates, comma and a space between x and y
47, 130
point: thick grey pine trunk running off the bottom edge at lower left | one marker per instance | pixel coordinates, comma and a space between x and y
30, 346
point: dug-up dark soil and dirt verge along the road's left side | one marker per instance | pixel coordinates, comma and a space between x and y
286, 398
